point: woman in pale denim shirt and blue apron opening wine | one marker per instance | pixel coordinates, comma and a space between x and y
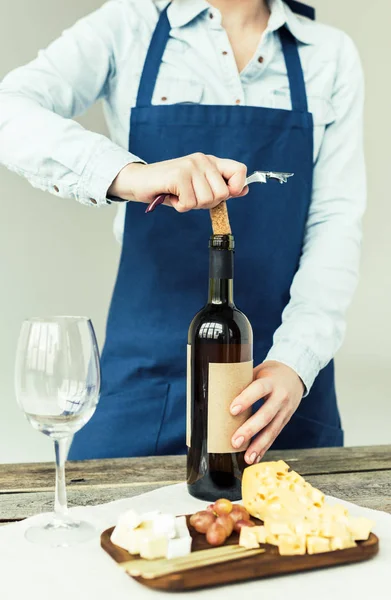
212, 88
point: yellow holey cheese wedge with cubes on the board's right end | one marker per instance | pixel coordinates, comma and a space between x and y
296, 514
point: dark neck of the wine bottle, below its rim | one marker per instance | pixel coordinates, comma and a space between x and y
221, 270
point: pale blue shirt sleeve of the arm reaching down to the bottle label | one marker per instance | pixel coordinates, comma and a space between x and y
313, 323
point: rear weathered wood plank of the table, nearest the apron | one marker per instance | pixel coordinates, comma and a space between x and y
121, 472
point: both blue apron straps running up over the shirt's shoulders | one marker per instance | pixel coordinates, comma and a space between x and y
158, 45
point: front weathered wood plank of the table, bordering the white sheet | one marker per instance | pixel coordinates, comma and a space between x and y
371, 489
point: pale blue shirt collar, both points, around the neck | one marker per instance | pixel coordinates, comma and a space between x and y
182, 12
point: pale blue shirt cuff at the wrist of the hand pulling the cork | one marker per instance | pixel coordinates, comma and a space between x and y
100, 172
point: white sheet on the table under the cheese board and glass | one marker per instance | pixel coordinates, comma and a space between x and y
30, 572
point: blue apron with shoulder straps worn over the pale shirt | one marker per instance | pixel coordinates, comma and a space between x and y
163, 272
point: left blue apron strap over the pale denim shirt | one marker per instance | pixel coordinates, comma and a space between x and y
153, 60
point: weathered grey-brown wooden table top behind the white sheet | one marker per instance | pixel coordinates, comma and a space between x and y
361, 475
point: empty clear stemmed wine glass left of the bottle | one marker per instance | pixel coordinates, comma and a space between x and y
57, 382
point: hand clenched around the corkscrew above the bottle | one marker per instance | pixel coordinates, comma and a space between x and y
192, 182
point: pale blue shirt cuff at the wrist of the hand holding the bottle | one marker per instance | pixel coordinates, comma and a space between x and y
298, 357
